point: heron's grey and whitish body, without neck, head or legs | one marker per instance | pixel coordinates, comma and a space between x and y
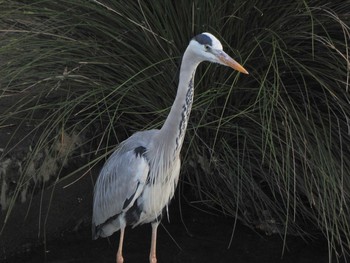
129, 169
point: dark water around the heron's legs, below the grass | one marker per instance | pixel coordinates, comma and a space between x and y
206, 240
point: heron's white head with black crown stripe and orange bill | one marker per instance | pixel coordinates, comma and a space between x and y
209, 48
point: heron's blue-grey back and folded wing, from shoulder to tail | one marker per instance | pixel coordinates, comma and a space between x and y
123, 177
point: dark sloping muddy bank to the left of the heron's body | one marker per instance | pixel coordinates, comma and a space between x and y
62, 207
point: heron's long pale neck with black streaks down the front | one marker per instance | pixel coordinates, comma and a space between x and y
174, 128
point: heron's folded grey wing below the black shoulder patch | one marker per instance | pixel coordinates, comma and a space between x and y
120, 183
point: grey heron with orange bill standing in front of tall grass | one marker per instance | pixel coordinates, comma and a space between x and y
139, 179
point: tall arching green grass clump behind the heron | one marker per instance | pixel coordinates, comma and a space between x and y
269, 149
